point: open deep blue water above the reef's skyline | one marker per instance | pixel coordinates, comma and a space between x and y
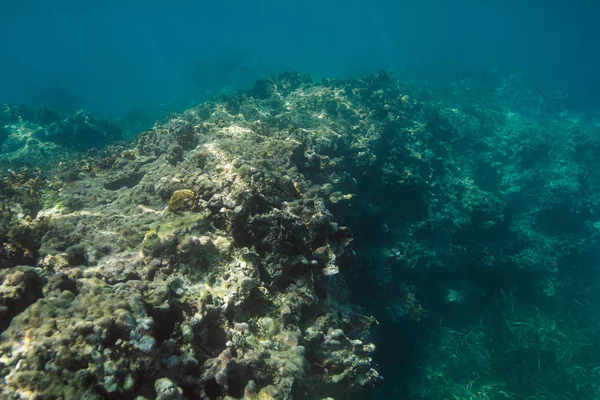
114, 55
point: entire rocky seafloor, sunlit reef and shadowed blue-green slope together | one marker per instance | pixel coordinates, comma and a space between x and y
300, 241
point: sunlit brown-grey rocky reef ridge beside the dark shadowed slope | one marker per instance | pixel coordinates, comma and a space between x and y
202, 263
